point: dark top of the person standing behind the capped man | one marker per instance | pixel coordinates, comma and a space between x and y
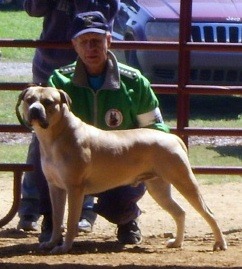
57, 19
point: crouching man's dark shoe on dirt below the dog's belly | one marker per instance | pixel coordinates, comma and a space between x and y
129, 233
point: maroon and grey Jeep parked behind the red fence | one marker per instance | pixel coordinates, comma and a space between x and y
158, 20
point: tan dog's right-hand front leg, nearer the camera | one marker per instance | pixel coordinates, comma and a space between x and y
75, 201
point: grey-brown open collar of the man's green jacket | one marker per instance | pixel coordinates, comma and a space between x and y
112, 76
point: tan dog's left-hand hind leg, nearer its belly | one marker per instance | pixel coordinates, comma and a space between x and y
161, 193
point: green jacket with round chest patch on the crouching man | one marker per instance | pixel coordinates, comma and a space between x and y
124, 101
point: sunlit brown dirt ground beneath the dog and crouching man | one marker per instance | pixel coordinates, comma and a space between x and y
100, 249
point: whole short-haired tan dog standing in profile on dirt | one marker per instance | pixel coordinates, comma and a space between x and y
79, 159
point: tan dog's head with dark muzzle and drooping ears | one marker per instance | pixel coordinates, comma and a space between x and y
43, 106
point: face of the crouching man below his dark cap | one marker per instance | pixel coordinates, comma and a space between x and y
92, 49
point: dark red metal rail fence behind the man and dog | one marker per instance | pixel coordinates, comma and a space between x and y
182, 89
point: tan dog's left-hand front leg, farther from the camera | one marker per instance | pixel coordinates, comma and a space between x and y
58, 199
